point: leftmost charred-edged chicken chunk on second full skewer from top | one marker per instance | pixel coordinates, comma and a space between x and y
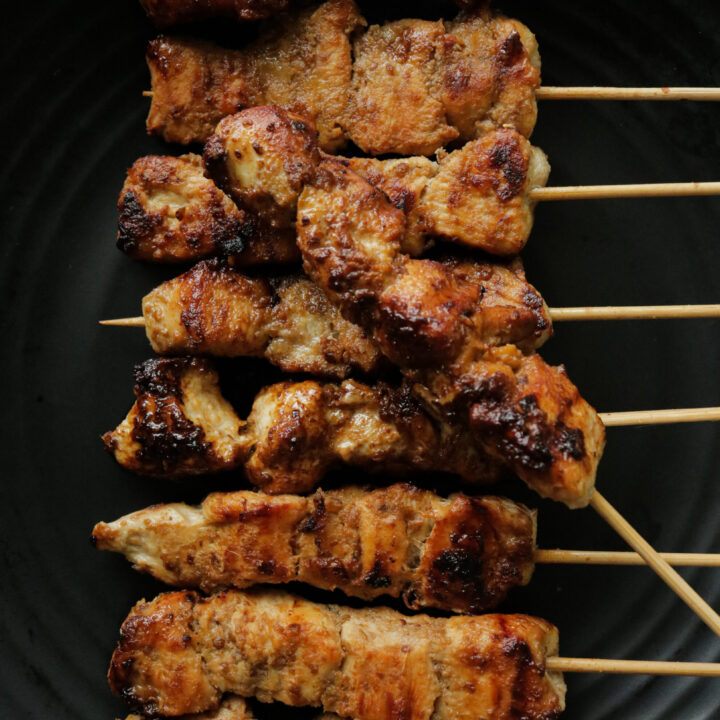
170, 212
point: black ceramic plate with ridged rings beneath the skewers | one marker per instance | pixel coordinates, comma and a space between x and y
72, 122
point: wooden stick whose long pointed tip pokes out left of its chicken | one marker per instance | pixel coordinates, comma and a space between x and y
569, 314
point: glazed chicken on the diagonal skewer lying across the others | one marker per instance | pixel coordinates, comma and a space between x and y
432, 322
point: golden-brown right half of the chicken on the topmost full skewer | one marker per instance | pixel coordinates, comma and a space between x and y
453, 81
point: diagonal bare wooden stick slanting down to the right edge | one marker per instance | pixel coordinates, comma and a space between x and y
653, 559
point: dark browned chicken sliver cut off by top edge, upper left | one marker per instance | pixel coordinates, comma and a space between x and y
172, 12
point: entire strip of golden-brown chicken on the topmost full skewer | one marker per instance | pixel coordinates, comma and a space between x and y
453, 80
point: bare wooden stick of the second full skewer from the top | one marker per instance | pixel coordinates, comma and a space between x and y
597, 192
